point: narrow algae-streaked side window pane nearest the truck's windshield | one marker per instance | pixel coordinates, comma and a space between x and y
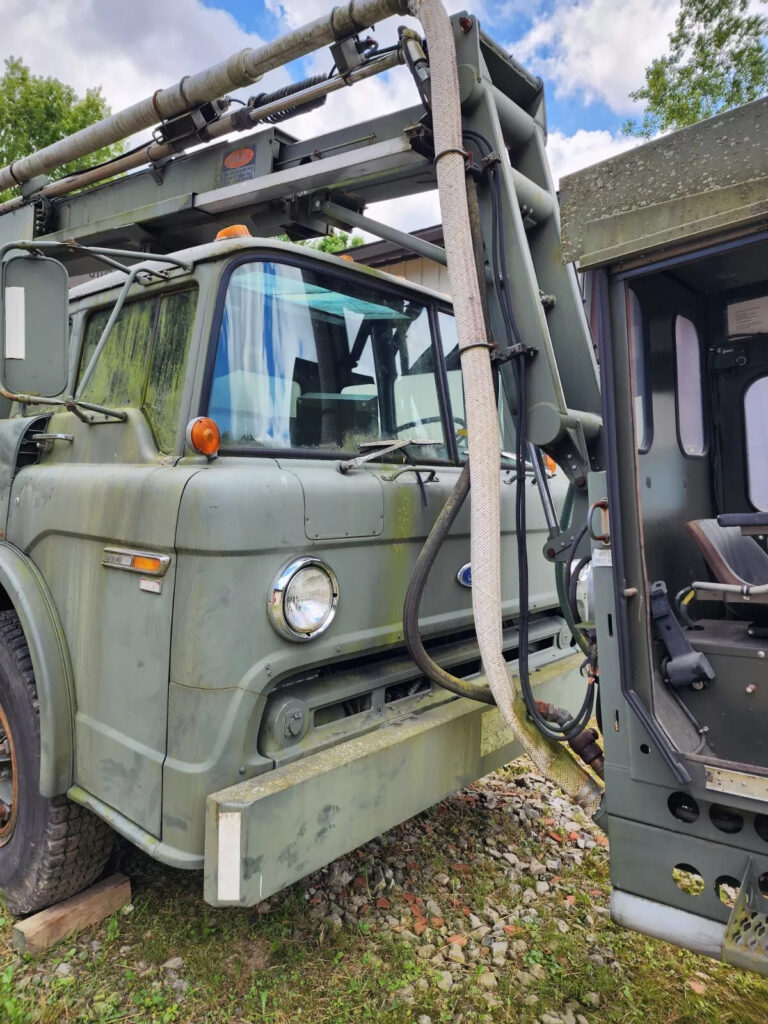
168, 365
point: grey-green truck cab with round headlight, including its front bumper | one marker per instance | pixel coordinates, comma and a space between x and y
233, 613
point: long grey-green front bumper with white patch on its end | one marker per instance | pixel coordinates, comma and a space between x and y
269, 832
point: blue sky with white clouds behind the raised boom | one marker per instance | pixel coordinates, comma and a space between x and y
591, 55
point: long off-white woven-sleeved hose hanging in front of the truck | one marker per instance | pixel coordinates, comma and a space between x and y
483, 423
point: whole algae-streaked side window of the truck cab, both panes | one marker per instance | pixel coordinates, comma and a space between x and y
144, 360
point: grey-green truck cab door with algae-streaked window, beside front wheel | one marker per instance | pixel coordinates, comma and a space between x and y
98, 516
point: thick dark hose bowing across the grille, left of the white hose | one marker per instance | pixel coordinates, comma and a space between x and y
424, 564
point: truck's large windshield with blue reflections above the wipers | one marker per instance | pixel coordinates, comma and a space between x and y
308, 360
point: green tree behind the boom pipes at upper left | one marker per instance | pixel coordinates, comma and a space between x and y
36, 112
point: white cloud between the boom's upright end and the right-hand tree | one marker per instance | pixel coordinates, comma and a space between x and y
599, 50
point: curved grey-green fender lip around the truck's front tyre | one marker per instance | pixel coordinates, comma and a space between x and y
29, 596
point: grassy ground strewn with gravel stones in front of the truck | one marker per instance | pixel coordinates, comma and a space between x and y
492, 907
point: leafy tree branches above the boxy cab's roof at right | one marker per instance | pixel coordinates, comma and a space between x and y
717, 61
